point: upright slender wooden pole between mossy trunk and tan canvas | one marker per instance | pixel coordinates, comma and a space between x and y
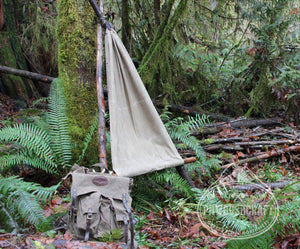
100, 94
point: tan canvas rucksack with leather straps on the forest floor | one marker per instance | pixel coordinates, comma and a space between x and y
100, 206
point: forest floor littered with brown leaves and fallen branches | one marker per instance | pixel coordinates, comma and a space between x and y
271, 150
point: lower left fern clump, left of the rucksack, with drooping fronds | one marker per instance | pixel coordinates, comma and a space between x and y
20, 203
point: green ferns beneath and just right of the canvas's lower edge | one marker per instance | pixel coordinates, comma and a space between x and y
180, 132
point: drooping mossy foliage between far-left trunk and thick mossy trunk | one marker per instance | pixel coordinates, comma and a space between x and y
38, 34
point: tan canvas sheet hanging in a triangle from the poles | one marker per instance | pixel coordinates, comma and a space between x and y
139, 140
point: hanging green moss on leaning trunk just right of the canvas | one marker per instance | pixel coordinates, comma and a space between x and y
158, 67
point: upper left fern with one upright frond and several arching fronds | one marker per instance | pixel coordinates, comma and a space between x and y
48, 147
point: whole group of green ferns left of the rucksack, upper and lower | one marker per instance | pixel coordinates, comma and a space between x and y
44, 146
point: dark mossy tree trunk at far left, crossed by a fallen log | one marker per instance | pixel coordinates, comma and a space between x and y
11, 54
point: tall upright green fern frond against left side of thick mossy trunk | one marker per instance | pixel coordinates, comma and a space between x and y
58, 124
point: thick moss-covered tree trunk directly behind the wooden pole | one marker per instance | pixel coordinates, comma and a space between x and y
76, 34
